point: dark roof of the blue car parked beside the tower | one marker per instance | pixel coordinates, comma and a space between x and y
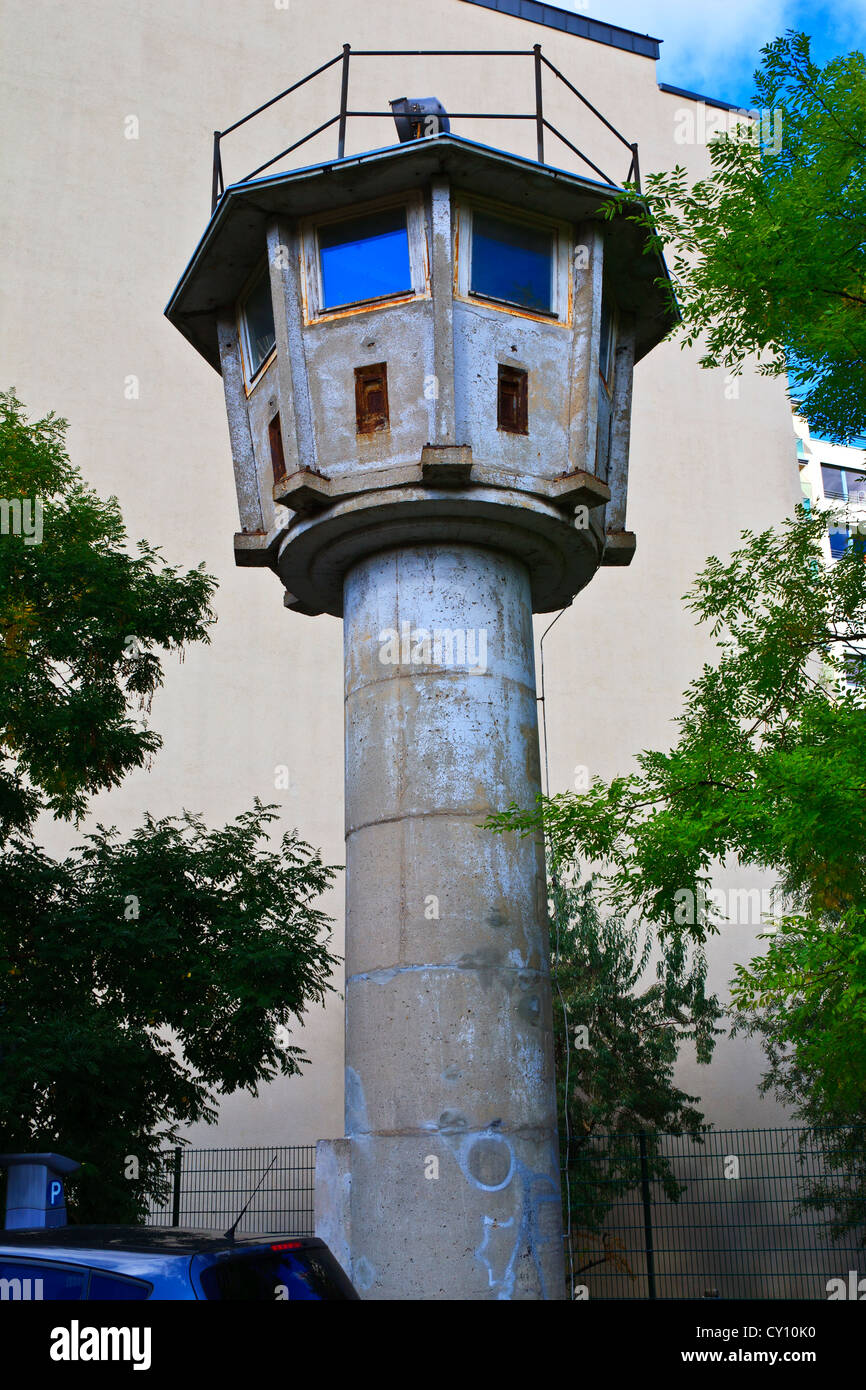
152, 1241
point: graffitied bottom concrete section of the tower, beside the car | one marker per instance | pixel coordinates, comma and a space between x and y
444, 1216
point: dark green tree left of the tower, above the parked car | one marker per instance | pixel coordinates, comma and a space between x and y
141, 979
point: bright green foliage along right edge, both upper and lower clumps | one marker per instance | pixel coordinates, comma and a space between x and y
768, 259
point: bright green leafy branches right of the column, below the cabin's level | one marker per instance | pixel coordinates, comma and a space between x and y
769, 769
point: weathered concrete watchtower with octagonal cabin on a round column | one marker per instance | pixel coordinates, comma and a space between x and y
427, 355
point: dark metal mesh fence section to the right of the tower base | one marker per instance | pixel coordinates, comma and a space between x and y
664, 1217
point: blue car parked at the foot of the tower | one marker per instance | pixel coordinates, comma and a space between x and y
137, 1263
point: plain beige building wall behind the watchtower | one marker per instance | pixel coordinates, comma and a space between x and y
106, 176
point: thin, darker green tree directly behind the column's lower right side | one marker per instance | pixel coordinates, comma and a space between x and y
618, 1031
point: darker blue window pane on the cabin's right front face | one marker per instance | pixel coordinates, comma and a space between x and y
512, 262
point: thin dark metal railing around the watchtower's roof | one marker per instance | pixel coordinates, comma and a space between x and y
345, 113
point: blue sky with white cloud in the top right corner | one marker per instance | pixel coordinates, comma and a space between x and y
714, 47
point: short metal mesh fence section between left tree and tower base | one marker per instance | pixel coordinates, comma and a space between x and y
211, 1186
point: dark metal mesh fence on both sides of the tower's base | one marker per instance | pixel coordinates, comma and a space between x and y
653, 1216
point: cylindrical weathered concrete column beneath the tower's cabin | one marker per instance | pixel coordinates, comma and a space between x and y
451, 1109
